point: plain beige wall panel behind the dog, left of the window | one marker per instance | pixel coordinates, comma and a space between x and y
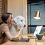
18, 7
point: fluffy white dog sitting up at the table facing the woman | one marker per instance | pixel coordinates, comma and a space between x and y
18, 25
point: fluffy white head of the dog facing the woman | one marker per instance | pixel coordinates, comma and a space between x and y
20, 21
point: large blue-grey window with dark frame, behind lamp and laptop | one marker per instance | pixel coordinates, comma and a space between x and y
31, 10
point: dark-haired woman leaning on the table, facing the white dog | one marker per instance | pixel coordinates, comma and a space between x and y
5, 27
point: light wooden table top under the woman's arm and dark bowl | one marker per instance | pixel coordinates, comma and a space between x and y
31, 42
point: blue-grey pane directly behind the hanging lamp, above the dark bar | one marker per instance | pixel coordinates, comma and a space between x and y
34, 8
